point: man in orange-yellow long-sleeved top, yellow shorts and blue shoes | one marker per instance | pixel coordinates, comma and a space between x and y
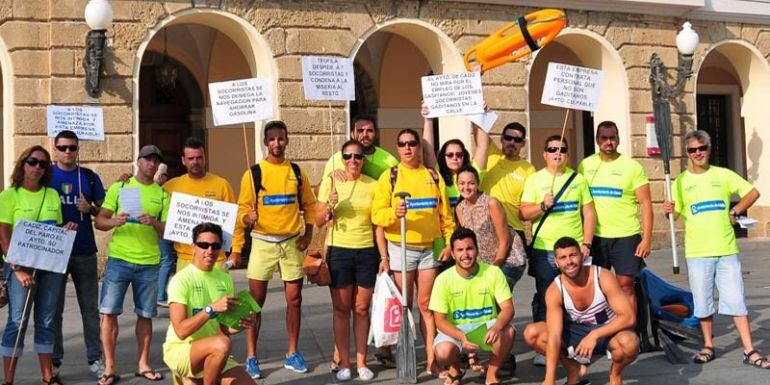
273, 206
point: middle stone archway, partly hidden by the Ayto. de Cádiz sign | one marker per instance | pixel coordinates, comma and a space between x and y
388, 86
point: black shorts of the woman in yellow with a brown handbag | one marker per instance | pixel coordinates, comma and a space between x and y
353, 266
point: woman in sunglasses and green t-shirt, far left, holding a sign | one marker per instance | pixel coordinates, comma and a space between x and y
29, 199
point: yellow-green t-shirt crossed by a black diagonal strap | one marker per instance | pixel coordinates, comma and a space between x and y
566, 219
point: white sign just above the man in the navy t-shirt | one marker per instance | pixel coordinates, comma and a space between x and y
86, 122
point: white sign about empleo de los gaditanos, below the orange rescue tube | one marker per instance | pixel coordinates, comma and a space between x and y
453, 94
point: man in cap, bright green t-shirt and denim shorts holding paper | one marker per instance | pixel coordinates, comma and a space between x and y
134, 257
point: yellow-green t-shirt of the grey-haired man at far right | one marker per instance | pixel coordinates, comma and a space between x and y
703, 201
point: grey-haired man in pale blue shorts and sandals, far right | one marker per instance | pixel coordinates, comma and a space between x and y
702, 196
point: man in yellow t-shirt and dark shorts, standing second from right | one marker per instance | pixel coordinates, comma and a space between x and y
619, 187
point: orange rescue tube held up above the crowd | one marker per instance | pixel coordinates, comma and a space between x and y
517, 39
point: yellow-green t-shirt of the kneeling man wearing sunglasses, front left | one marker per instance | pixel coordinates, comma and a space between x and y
197, 289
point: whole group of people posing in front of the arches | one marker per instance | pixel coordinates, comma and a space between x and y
465, 250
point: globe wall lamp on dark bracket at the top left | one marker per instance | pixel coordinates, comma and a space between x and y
98, 14
